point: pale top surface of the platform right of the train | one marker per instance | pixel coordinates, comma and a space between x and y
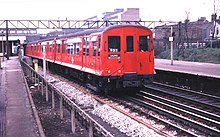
195, 68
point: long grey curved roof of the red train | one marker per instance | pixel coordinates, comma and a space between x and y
91, 31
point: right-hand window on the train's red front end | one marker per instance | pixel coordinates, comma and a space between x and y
144, 43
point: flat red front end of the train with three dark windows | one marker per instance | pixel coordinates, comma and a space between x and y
129, 57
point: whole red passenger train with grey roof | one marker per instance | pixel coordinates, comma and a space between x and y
120, 56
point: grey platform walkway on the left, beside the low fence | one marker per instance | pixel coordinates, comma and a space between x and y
16, 115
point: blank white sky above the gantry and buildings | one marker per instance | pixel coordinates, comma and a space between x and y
150, 10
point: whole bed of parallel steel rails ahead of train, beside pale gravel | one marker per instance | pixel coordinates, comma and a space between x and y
174, 115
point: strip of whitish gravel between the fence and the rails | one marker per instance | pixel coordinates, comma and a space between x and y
116, 119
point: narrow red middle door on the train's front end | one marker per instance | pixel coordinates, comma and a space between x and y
130, 62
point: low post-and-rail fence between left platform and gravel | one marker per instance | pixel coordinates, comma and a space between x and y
93, 127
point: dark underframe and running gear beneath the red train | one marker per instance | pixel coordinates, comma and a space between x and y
104, 84
